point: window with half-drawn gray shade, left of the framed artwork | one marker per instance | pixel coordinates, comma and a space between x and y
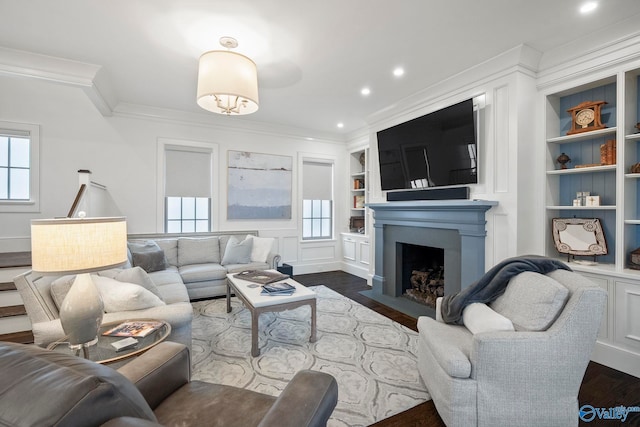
187, 198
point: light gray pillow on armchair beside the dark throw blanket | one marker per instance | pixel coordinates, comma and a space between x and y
532, 301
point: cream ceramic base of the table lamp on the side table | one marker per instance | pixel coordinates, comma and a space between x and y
81, 312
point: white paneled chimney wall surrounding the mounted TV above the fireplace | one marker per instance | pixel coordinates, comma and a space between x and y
507, 83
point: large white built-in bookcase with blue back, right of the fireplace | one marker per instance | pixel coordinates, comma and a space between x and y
601, 163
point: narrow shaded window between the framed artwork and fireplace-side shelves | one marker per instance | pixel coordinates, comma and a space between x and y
317, 200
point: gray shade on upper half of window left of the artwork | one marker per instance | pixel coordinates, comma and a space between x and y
187, 172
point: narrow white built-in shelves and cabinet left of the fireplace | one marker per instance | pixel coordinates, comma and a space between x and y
355, 242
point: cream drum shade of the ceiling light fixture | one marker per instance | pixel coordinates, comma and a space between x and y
227, 83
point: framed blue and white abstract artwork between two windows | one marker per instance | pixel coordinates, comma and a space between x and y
259, 186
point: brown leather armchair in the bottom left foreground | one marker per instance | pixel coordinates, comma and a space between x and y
42, 387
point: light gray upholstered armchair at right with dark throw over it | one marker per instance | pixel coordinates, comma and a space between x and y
518, 377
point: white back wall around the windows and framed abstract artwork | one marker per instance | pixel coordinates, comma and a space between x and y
121, 152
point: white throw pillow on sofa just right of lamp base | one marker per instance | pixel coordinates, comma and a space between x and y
122, 296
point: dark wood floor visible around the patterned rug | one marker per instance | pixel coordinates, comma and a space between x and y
602, 387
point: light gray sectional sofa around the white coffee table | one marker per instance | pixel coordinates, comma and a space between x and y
191, 268
